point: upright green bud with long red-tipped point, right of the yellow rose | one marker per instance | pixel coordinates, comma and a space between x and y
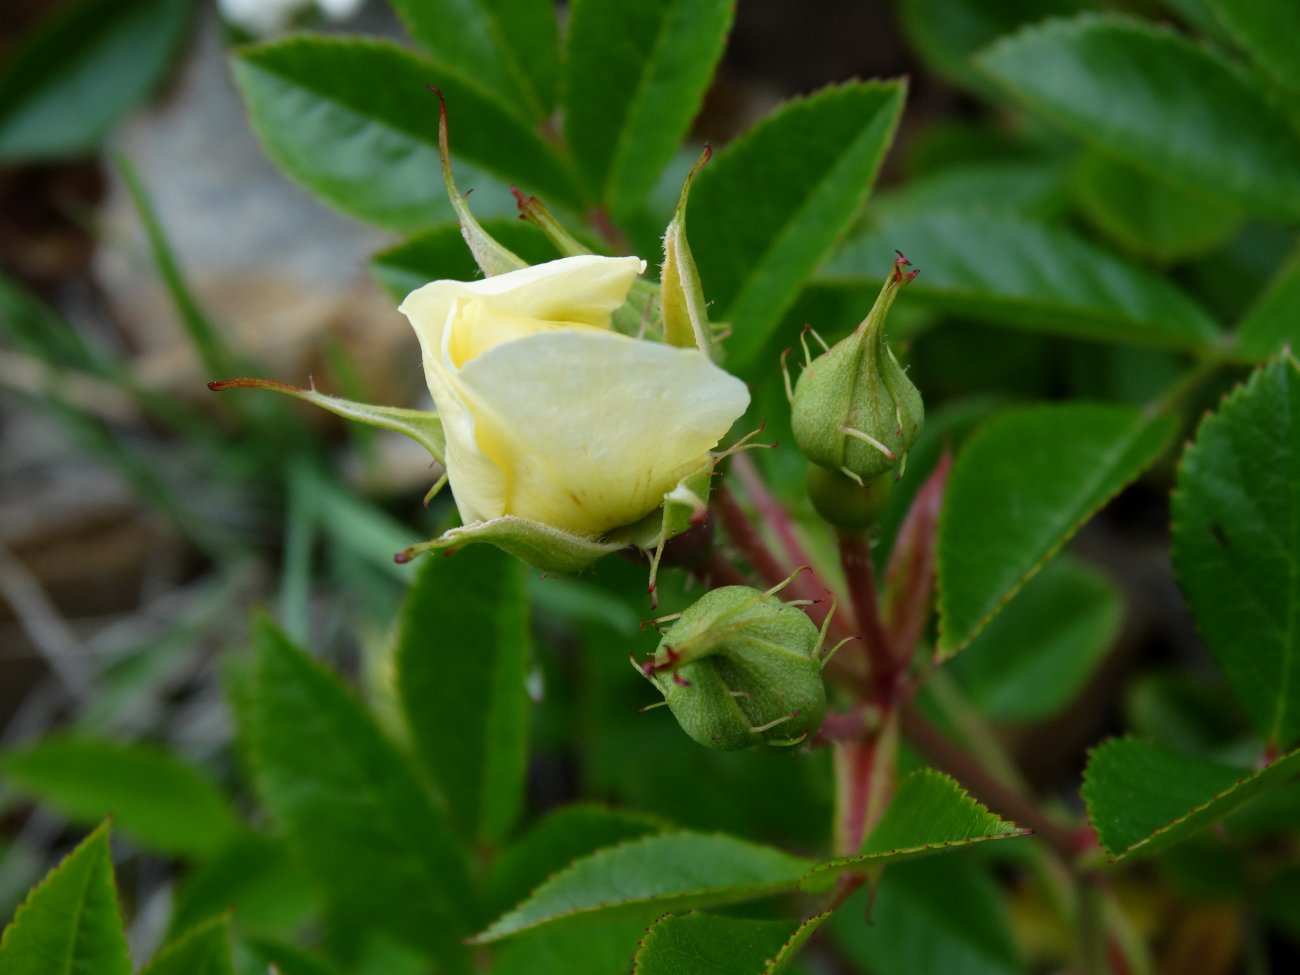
855, 410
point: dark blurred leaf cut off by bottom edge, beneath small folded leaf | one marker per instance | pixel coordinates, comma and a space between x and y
931, 917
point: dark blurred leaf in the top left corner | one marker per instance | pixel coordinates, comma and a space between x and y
81, 72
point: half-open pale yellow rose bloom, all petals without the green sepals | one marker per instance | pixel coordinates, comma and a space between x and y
553, 417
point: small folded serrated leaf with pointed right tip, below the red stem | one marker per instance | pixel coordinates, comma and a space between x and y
930, 813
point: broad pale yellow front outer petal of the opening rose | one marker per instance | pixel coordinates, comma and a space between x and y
591, 430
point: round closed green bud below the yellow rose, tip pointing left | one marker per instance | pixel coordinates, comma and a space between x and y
742, 669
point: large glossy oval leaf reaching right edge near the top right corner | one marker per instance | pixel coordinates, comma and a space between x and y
1160, 102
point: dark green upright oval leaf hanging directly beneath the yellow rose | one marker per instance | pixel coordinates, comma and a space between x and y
462, 656
